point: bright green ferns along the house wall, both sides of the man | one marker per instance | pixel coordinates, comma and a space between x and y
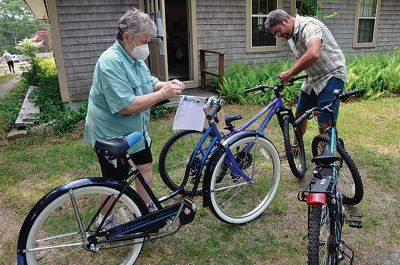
378, 74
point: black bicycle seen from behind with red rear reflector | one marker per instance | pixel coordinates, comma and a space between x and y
326, 195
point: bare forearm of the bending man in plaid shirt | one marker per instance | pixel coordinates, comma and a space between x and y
306, 60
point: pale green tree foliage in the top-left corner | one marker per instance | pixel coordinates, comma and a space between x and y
16, 23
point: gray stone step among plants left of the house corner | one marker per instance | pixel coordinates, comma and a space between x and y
28, 113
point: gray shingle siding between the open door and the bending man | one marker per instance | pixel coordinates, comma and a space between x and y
221, 26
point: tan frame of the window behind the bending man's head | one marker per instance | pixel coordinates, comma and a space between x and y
259, 49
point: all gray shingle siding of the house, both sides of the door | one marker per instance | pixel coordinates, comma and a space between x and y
88, 27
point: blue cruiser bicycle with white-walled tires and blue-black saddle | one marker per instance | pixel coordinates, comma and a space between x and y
242, 179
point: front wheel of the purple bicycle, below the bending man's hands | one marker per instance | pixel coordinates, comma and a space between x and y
295, 154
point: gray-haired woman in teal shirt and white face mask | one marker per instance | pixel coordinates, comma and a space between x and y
122, 93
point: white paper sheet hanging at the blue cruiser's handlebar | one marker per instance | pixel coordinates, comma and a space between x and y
189, 115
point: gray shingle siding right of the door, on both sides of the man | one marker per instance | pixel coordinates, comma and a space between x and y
221, 27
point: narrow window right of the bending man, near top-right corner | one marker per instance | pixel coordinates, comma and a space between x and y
366, 23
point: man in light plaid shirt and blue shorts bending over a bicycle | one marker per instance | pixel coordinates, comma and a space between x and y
318, 54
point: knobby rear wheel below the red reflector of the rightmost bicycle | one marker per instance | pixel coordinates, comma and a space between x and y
321, 236
